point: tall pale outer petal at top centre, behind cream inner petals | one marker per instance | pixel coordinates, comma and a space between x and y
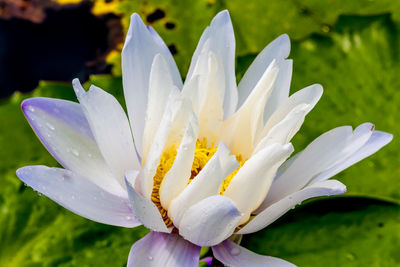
221, 42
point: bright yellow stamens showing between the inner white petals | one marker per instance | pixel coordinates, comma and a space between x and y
202, 154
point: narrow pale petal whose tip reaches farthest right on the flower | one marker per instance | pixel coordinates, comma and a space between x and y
375, 142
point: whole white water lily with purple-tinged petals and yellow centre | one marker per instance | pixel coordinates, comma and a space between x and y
210, 158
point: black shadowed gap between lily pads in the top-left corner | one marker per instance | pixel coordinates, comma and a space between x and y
70, 43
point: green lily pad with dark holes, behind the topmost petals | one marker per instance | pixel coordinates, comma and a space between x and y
256, 23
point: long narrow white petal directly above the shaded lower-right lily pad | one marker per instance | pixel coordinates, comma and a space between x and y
276, 210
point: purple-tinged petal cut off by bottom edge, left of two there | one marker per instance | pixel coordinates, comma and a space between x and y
161, 249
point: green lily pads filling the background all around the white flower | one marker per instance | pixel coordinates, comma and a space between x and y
350, 47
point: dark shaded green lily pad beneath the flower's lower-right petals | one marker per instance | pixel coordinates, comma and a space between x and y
334, 232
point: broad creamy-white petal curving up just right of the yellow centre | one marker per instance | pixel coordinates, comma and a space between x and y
250, 185
